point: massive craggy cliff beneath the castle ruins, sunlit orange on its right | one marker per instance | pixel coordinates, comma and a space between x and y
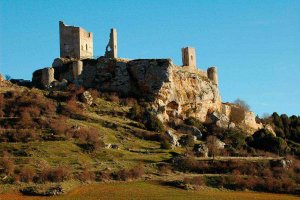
172, 90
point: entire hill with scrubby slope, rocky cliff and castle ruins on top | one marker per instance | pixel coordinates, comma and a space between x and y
110, 119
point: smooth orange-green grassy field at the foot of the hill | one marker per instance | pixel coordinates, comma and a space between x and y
151, 190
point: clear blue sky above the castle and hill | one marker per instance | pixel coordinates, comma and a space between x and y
255, 44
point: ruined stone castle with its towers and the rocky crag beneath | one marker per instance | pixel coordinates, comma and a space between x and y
172, 91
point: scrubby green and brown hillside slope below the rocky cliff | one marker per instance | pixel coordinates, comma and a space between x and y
53, 141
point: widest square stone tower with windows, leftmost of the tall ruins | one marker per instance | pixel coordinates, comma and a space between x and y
75, 42
